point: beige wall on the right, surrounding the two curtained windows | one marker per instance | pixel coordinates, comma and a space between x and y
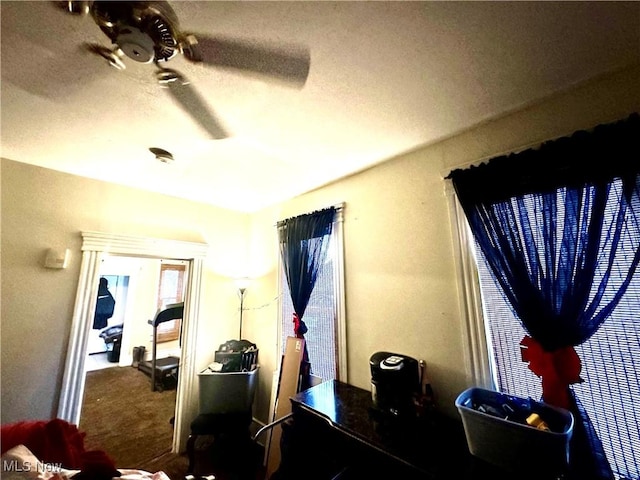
401, 286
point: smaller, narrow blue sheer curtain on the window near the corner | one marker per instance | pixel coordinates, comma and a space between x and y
304, 242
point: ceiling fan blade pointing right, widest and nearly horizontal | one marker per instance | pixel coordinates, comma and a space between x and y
290, 64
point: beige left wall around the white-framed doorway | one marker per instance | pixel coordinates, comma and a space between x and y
42, 208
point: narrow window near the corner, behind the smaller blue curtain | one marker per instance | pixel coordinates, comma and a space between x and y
324, 315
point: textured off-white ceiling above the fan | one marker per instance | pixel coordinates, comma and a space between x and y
385, 78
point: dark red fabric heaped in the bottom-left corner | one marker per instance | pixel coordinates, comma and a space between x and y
57, 441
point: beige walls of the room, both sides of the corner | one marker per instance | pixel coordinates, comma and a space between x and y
401, 283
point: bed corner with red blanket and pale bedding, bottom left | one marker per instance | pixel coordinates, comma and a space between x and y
54, 449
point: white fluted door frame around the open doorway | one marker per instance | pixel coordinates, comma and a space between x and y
95, 247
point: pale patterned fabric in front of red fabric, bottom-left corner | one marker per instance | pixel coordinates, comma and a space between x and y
19, 463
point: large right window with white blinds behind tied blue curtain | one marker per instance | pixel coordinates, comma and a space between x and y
610, 359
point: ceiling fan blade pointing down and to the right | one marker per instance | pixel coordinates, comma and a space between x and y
191, 102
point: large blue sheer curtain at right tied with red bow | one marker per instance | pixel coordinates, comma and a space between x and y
549, 222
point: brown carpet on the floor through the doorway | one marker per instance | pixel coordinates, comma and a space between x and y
122, 416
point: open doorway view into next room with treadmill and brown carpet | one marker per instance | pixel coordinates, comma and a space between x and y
119, 345
